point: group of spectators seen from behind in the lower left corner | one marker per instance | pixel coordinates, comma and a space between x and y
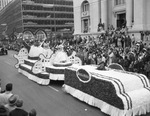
11, 104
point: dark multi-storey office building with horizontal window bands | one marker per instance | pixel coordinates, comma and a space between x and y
48, 15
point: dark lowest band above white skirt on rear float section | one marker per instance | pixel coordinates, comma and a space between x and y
42, 76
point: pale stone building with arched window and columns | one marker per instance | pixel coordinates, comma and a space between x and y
132, 13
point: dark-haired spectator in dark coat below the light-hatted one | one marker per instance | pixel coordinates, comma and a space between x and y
18, 111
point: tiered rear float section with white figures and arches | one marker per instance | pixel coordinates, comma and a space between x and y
40, 64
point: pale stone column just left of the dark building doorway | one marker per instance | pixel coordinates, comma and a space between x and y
104, 13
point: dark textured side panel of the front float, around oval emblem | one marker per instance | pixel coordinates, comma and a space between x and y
98, 88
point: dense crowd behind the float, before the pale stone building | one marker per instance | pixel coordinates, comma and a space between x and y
112, 46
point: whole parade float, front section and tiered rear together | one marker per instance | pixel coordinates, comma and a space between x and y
115, 91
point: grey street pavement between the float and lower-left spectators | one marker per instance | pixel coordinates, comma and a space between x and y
47, 100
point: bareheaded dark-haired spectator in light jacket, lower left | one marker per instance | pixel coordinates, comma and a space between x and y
6, 94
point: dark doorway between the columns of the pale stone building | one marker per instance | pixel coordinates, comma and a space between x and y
121, 20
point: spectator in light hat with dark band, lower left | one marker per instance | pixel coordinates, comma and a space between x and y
12, 102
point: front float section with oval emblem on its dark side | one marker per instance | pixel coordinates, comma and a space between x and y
115, 92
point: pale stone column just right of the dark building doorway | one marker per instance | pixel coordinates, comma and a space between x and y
129, 13
